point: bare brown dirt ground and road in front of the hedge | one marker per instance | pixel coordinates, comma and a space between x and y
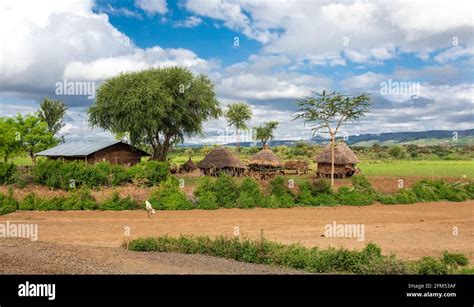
409, 231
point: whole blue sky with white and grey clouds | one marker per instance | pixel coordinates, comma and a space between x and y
415, 58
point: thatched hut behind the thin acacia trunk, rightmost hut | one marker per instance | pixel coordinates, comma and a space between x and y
344, 162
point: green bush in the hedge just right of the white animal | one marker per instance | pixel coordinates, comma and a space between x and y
168, 196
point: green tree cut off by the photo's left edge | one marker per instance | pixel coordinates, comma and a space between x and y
10, 144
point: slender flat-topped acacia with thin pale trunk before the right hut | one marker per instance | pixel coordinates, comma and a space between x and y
328, 111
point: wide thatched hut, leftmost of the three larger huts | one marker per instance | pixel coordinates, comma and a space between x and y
221, 160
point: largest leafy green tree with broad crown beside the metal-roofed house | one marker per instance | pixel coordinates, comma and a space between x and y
155, 108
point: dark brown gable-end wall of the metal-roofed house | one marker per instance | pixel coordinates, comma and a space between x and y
119, 153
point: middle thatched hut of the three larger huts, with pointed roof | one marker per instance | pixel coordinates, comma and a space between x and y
264, 165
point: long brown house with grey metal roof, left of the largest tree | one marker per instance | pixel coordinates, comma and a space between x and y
94, 151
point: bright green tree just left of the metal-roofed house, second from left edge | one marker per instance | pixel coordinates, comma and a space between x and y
34, 135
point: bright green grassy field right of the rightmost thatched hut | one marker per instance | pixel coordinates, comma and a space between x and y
419, 168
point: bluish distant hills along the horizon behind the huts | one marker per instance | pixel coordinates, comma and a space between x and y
431, 137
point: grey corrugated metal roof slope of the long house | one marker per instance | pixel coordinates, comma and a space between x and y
77, 149
